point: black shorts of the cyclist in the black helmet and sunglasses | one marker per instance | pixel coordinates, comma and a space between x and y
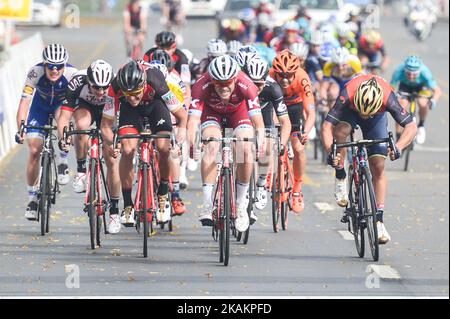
155, 112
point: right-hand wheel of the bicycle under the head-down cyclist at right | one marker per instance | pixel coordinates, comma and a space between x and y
370, 213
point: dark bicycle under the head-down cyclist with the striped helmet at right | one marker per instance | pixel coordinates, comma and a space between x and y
361, 211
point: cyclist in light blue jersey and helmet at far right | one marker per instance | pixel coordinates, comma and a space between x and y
413, 76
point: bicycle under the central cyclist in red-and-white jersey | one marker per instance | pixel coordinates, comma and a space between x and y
225, 214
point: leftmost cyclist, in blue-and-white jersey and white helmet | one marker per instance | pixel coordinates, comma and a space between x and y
43, 94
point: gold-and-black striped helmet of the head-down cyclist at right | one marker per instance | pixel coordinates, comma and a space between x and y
368, 98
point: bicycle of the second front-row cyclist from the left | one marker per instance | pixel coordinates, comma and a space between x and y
95, 205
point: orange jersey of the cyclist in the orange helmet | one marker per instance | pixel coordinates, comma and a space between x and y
299, 91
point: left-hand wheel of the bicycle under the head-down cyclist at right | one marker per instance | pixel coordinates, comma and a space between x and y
354, 223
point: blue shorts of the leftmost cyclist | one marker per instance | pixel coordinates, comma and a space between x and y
38, 116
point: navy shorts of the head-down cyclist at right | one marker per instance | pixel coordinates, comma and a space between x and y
372, 129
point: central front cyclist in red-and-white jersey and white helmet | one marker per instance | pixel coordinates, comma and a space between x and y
225, 93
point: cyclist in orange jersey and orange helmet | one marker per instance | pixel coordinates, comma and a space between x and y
299, 98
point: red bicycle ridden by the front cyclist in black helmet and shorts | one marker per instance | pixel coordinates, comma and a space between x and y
146, 194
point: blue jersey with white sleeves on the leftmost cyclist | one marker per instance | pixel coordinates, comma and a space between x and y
38, 84
